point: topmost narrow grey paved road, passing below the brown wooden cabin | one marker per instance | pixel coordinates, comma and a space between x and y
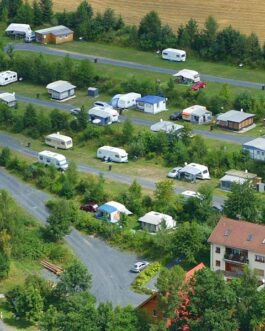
79, 56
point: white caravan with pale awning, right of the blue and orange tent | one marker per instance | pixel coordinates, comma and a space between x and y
153, 221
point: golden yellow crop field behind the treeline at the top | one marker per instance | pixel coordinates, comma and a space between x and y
246, 15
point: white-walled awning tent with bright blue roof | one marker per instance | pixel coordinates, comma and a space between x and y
151, 104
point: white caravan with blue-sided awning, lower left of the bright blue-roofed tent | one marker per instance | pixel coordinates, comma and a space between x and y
103, 116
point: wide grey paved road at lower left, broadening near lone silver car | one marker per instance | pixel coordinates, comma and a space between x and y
108, 266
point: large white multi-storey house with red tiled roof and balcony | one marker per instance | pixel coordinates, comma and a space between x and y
235, 244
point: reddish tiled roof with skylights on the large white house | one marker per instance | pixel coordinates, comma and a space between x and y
239, 234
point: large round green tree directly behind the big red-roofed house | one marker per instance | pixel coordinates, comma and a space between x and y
242, 202
